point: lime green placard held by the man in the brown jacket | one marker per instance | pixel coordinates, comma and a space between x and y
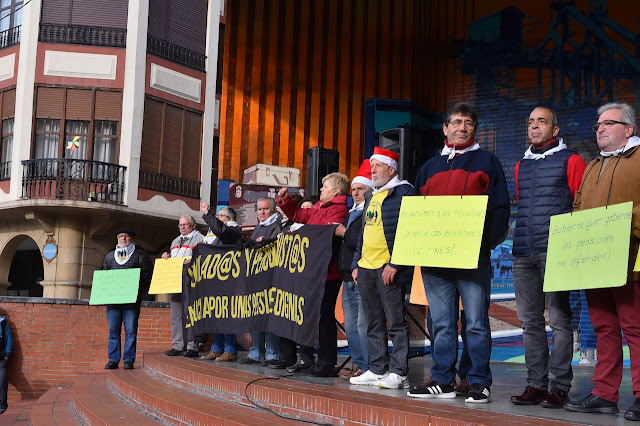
589, 249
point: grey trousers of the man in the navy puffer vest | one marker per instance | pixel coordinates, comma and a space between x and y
528, 278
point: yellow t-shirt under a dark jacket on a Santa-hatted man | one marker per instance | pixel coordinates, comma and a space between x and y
375, 253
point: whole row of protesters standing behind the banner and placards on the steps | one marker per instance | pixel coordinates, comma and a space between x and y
550, 179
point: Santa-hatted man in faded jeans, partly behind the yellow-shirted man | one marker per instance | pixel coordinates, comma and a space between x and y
355, 319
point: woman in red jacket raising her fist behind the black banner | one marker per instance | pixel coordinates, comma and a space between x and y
331, 209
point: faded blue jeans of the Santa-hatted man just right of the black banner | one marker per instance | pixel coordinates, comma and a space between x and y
355, 324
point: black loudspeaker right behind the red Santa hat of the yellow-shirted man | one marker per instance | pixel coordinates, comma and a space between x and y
414, 146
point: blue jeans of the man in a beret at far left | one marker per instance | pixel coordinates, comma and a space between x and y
116, 316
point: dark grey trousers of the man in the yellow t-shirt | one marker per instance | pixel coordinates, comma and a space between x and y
384, 303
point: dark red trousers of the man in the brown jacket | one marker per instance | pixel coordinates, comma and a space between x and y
612, 310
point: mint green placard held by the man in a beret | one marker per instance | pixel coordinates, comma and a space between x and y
114, 287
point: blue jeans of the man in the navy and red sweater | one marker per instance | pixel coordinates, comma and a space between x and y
474, 286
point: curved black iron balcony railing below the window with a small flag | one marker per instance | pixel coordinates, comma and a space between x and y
70, 179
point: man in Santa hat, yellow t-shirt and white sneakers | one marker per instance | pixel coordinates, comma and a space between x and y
381, 287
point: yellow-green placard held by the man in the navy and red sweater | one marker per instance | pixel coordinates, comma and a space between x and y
440, 231
